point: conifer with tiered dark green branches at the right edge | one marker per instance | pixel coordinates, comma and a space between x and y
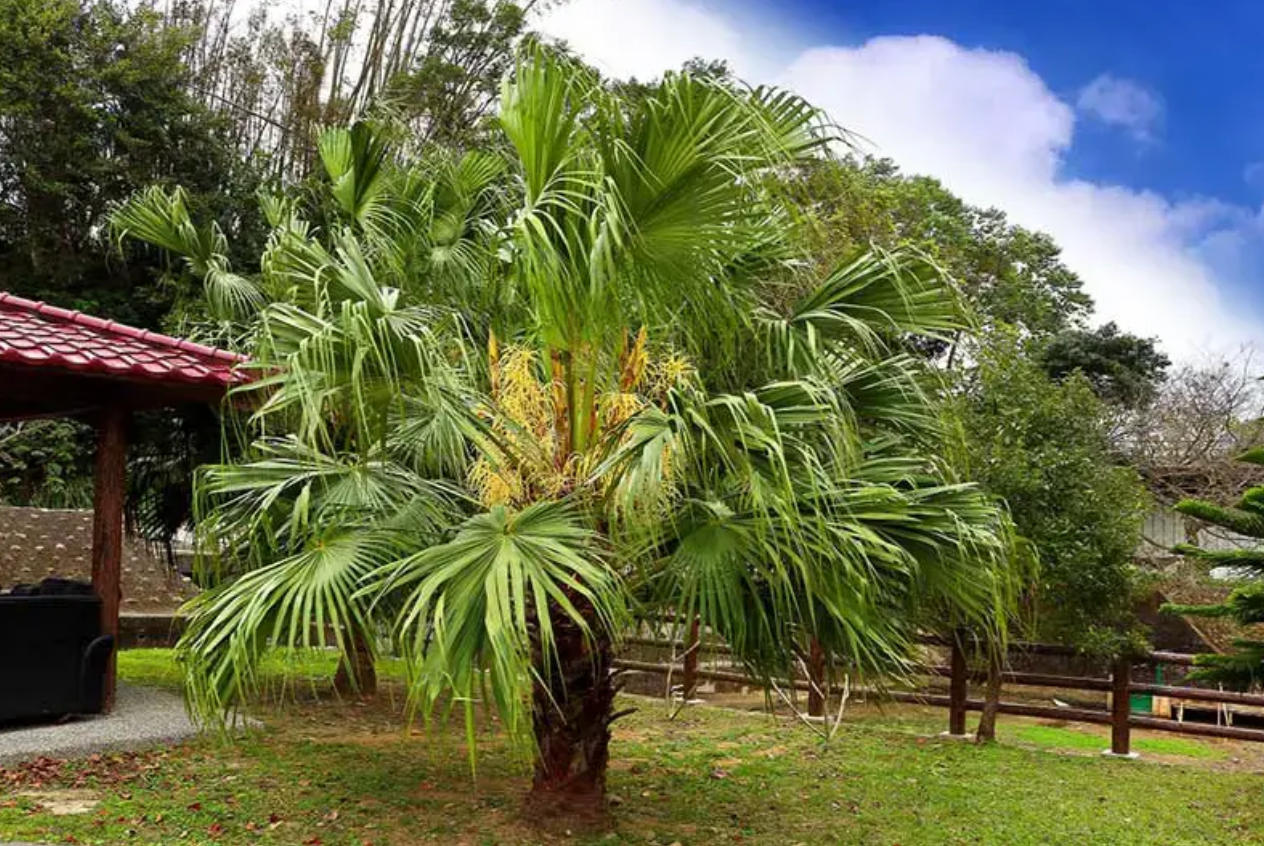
1244, 667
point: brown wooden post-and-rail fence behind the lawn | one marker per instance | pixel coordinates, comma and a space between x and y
1119, 684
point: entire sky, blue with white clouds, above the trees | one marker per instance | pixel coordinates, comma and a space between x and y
1127, 131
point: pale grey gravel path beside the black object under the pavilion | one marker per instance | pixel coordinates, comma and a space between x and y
142, 718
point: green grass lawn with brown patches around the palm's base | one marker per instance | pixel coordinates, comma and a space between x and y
338, 773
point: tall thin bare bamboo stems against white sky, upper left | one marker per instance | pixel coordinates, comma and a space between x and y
280, 78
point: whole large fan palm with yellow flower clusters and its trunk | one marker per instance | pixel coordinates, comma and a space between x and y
495, 465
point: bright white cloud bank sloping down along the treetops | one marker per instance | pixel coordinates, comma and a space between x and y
990, 128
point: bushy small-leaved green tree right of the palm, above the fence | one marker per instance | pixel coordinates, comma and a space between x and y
1045, 447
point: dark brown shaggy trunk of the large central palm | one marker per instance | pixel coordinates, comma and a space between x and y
572, 713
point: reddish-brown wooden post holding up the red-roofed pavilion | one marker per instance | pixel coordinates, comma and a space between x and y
111, 490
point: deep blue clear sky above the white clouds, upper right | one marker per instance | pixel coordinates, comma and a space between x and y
1203, 65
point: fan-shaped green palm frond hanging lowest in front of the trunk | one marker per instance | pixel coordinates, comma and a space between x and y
491, 599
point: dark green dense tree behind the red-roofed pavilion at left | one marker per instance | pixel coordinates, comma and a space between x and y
95, 103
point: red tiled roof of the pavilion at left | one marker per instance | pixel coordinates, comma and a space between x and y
42, 336
